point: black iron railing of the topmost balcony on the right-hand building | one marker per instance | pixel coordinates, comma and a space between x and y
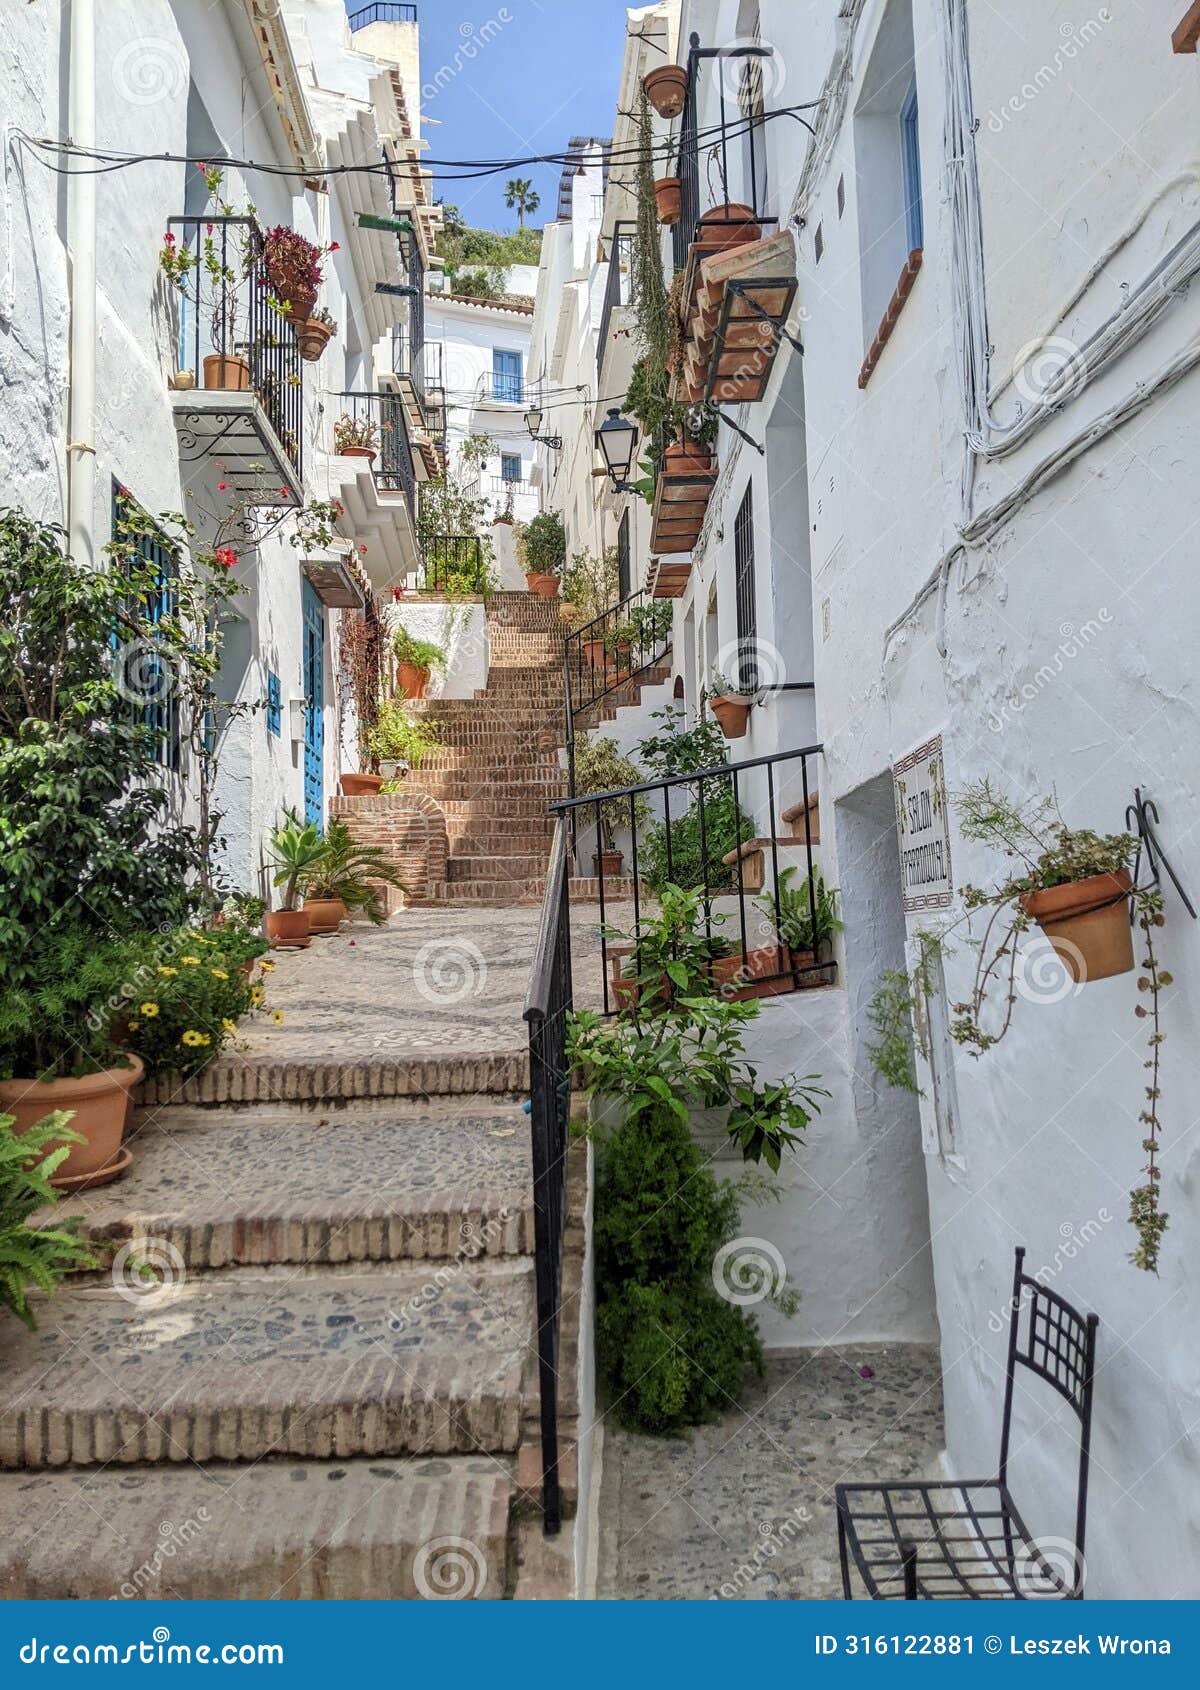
739, 175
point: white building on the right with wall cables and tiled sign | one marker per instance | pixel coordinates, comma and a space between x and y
963, 518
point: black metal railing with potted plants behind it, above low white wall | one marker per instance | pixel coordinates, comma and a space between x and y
723, 841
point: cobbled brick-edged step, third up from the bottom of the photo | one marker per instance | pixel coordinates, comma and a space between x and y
413, 1182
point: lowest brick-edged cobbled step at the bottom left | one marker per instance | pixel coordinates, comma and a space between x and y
297, 1530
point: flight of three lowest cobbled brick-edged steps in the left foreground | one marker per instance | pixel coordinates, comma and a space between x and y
327, 1388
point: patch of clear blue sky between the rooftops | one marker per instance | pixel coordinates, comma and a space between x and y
542, 72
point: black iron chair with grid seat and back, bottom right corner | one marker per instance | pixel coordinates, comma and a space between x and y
966, 1539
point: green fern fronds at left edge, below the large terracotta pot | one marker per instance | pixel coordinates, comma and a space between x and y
35, 1257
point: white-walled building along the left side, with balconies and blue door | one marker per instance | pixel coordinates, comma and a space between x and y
104, 363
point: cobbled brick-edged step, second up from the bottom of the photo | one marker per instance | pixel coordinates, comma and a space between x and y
249, 1365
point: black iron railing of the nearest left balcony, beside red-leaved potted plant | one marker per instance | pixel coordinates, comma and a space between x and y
227, 315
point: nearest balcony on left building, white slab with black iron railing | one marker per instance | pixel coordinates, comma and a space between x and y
239, 393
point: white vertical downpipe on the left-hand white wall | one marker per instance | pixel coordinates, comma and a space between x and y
82, 259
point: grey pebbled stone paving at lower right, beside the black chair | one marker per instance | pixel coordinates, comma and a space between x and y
745, 1508
